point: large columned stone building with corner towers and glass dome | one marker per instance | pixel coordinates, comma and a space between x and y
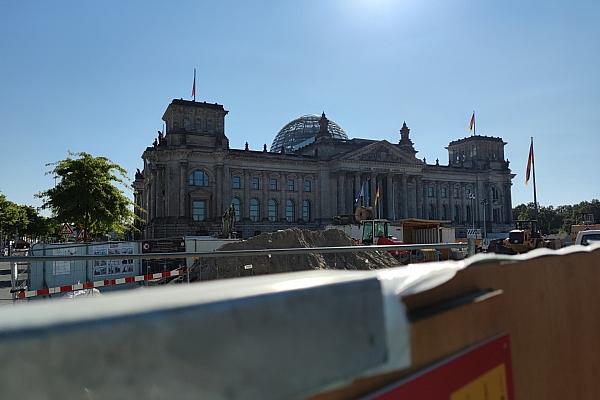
311, 173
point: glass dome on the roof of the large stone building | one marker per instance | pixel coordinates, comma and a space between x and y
303, 131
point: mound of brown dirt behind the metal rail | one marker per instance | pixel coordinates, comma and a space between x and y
231, 267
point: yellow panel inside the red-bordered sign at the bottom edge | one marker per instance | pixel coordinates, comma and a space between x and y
489, 386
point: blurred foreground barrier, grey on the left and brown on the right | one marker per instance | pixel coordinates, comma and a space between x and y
328, 334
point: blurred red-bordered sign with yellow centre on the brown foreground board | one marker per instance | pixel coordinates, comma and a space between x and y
480, 372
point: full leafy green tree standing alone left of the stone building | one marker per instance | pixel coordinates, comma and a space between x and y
87, 195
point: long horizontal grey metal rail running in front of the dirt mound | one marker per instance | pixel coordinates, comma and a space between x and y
240, 253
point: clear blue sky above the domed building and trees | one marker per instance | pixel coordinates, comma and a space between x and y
97, 76
